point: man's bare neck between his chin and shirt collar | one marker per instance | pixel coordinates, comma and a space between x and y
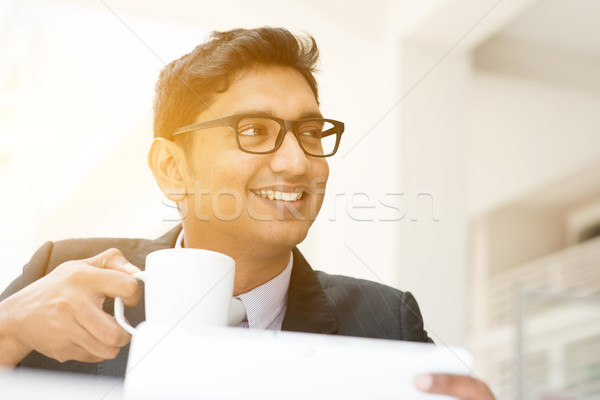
254, 264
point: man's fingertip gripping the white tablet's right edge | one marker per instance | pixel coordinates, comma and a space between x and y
462, 387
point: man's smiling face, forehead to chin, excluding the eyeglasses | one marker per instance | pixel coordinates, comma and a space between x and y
235, 194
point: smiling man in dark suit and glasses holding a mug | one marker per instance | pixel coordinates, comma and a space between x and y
240, 145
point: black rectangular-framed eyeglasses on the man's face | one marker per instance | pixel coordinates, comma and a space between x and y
259, 134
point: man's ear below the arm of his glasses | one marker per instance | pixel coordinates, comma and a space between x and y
164, 160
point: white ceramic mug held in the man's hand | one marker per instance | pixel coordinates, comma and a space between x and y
187, 288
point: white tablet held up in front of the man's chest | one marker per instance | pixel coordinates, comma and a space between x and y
234, 363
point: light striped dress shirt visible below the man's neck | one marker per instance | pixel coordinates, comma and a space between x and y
265, 304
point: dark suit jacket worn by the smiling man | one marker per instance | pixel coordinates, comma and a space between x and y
317, 302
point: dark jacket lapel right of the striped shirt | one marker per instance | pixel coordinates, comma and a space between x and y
308, 309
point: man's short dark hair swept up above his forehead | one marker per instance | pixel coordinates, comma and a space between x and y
187, 86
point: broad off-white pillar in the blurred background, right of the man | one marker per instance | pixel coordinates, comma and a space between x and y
433, 246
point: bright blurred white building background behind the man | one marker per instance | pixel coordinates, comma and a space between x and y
469, 172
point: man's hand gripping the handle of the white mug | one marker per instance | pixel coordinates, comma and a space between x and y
61, 316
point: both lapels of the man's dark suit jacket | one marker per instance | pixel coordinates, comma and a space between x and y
308, 309
